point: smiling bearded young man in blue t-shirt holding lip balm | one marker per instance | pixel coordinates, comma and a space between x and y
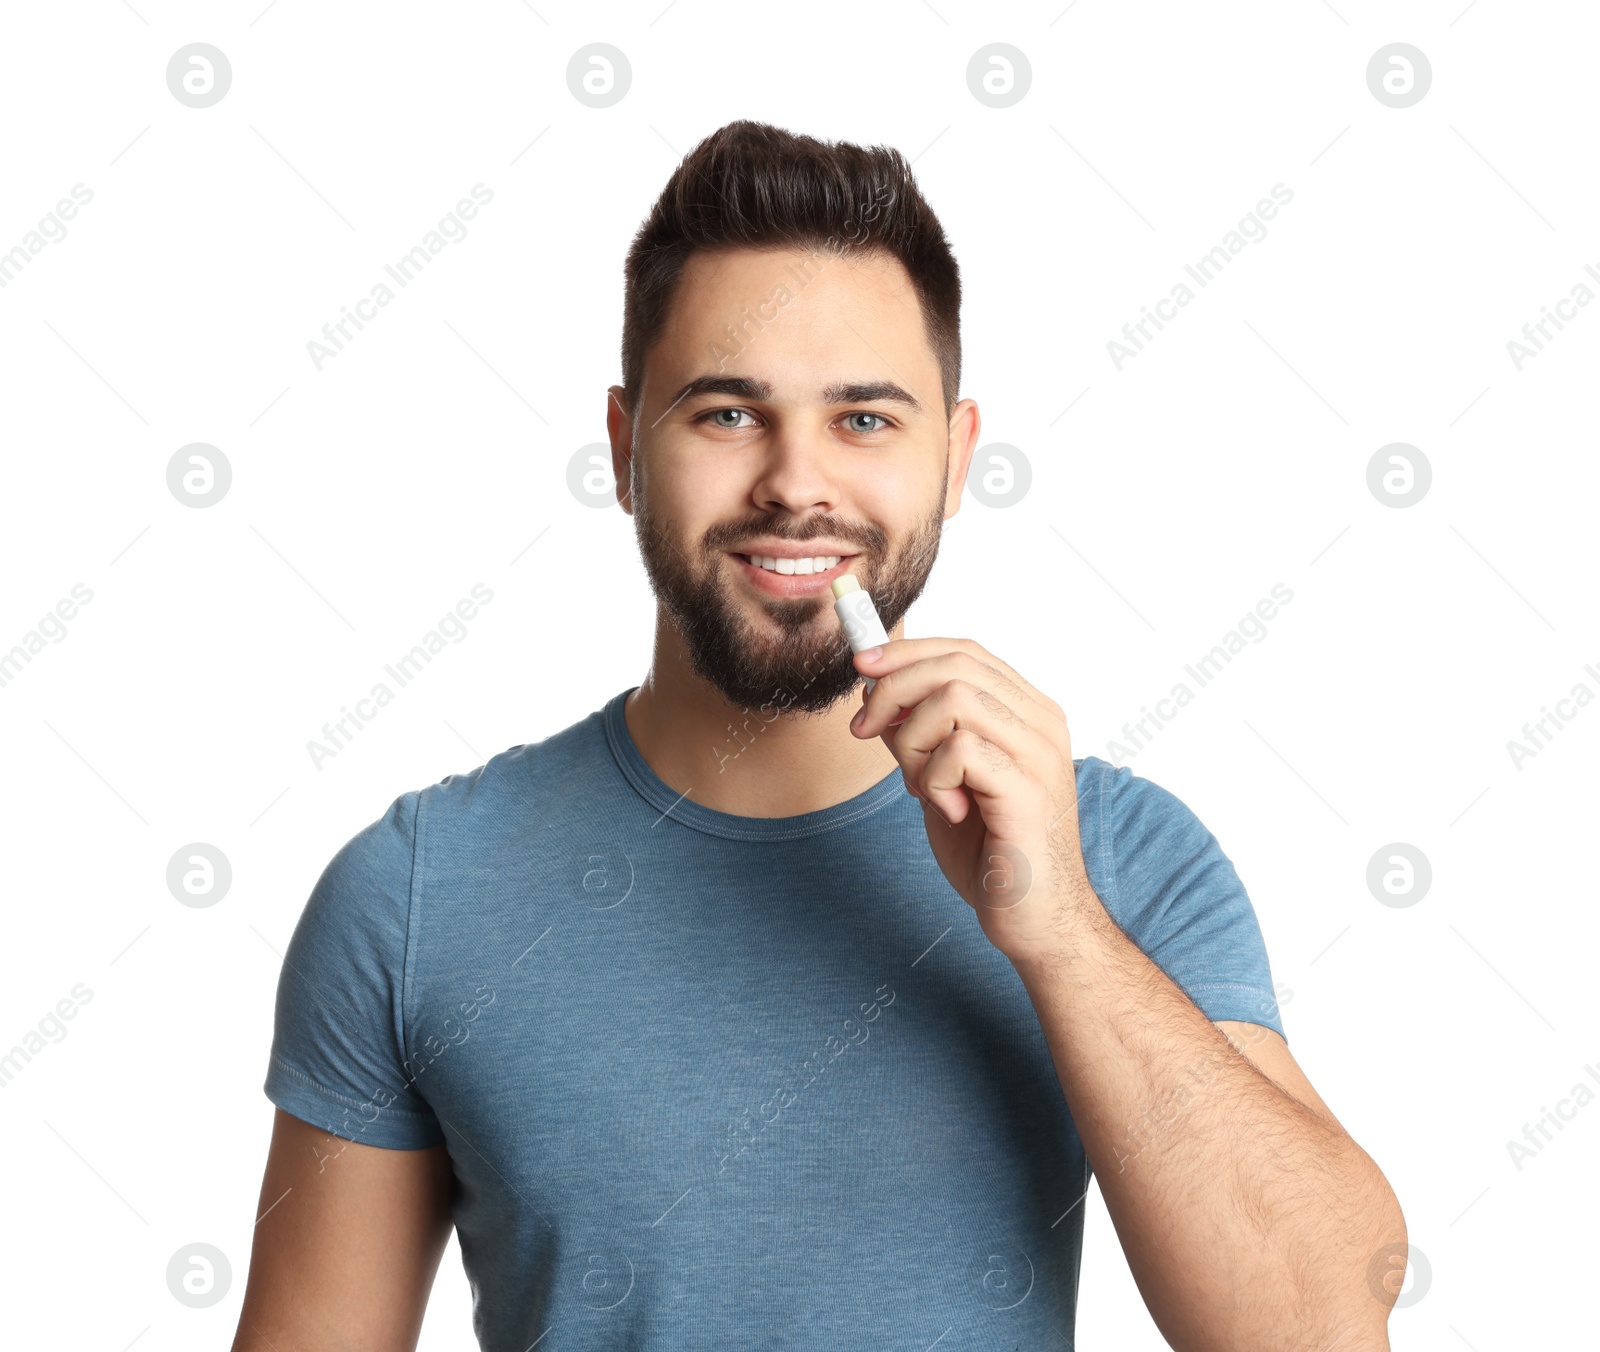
753, 1014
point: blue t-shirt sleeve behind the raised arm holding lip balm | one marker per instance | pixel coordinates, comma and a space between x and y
1177, 895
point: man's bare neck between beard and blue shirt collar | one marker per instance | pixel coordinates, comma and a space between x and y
730, 761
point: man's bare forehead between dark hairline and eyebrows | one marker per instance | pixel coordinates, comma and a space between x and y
799, 319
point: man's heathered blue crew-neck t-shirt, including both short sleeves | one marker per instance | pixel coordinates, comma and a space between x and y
711, 1081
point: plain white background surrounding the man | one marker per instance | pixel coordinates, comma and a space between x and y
431, 455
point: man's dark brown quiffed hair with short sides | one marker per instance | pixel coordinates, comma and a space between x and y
751, 185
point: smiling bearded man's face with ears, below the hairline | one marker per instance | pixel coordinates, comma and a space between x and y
791, 409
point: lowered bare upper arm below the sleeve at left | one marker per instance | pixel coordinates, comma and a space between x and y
348, 1244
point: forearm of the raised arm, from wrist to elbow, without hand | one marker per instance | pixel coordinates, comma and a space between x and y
1249, 1218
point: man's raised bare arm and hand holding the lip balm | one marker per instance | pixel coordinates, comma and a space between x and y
1249, 1217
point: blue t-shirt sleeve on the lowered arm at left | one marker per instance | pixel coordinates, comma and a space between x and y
338, 1044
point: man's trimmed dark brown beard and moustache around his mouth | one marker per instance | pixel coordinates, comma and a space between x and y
806, 666
